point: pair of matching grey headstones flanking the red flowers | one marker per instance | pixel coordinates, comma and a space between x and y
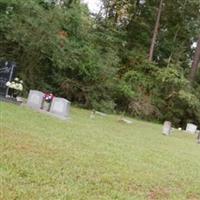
59, 106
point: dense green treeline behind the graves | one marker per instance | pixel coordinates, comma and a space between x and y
133, 56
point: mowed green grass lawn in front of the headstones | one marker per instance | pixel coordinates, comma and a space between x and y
42, 157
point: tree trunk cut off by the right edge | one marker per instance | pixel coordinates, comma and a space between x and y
195, 62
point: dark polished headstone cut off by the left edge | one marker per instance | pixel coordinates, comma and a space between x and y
7, 72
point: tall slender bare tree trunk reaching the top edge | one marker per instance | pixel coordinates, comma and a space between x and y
155, 32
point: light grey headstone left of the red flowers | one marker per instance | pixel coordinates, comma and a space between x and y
35, 99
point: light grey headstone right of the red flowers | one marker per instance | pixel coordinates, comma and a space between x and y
60, 107
